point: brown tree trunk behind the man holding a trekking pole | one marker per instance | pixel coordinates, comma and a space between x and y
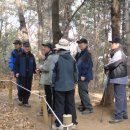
108, 96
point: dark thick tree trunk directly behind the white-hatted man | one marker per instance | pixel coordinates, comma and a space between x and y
55, 22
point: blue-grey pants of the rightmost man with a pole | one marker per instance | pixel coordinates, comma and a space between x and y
120, 101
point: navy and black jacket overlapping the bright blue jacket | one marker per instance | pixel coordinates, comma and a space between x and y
25, 64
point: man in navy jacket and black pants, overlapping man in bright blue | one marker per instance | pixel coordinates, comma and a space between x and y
25, 67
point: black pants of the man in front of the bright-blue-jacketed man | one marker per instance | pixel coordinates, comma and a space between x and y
24, 95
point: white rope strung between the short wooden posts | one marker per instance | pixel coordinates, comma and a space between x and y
65, 126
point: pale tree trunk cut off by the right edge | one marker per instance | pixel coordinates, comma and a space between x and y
128, 33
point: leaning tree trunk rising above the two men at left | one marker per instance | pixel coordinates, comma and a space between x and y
23, 32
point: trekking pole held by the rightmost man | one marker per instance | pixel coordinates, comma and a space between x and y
106, 82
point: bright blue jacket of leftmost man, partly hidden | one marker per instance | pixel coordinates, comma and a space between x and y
12, 58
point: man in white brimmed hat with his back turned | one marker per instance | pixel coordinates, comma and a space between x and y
64, 75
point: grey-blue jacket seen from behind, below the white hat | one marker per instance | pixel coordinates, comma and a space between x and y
64, 71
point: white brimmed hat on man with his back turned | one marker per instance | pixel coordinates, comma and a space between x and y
63, 44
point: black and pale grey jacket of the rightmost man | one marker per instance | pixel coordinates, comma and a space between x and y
117, 67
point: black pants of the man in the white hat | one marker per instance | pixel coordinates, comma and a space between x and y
65, 100
